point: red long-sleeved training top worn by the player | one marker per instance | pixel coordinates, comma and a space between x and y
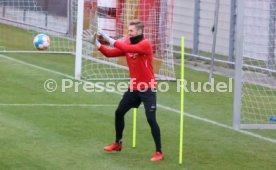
139, 59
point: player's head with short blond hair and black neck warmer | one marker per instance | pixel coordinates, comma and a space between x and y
135, 31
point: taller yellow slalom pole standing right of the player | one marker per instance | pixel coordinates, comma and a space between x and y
182, 100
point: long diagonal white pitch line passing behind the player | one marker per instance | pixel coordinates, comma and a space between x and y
159, 105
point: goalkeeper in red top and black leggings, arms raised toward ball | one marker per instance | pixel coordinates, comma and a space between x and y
139, 56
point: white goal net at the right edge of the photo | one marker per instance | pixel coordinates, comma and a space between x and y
258, 82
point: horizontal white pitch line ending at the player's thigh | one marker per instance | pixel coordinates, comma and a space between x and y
55, 105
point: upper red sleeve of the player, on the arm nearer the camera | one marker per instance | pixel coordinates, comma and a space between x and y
144, 47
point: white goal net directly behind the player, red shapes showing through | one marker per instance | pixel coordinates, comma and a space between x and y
113, 17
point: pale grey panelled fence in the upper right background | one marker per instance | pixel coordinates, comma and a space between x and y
195, 18
